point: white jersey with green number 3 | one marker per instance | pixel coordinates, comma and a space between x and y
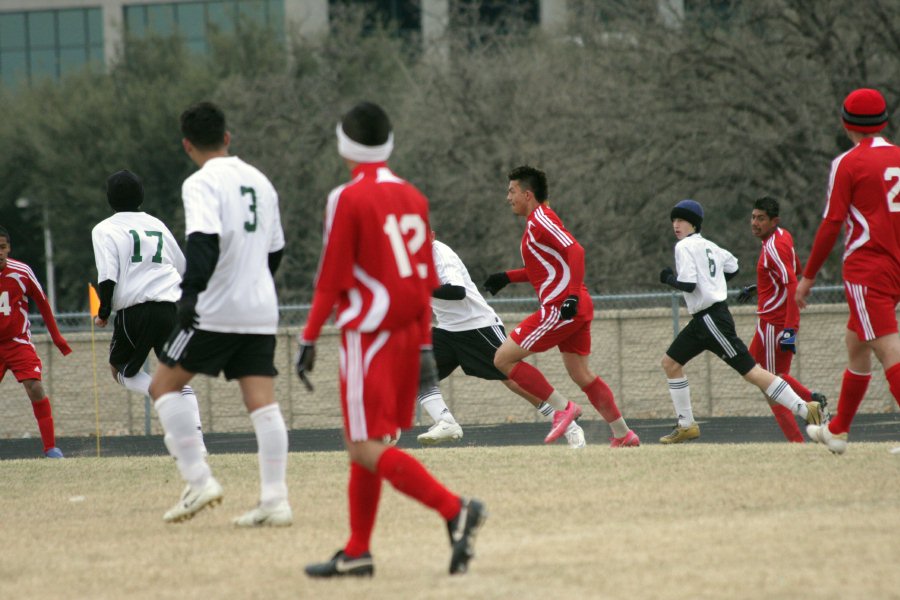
234, 200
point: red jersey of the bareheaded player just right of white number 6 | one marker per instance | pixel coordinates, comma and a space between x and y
776, 280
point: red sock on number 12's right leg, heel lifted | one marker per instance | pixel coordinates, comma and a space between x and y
408, 476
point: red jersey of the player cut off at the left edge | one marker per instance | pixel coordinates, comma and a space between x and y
17, 284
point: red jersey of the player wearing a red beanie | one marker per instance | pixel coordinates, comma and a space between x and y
864, 193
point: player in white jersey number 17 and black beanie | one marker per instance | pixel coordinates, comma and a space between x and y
139, 267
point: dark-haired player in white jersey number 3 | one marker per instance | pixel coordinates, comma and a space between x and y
228, 315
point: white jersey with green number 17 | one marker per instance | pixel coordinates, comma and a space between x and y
138, 252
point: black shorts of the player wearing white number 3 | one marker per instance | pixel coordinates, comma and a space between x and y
212, 352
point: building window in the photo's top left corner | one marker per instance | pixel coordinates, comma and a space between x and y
46, 44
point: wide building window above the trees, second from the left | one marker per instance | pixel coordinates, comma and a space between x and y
194, 22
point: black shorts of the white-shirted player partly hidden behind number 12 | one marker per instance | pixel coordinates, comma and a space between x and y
473, 350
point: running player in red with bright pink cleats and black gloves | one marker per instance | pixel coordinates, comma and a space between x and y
554, 265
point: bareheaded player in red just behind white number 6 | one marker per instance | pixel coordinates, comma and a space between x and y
775, 341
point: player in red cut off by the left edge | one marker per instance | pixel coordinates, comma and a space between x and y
17, 354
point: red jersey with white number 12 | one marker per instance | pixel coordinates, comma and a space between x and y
377, 262
